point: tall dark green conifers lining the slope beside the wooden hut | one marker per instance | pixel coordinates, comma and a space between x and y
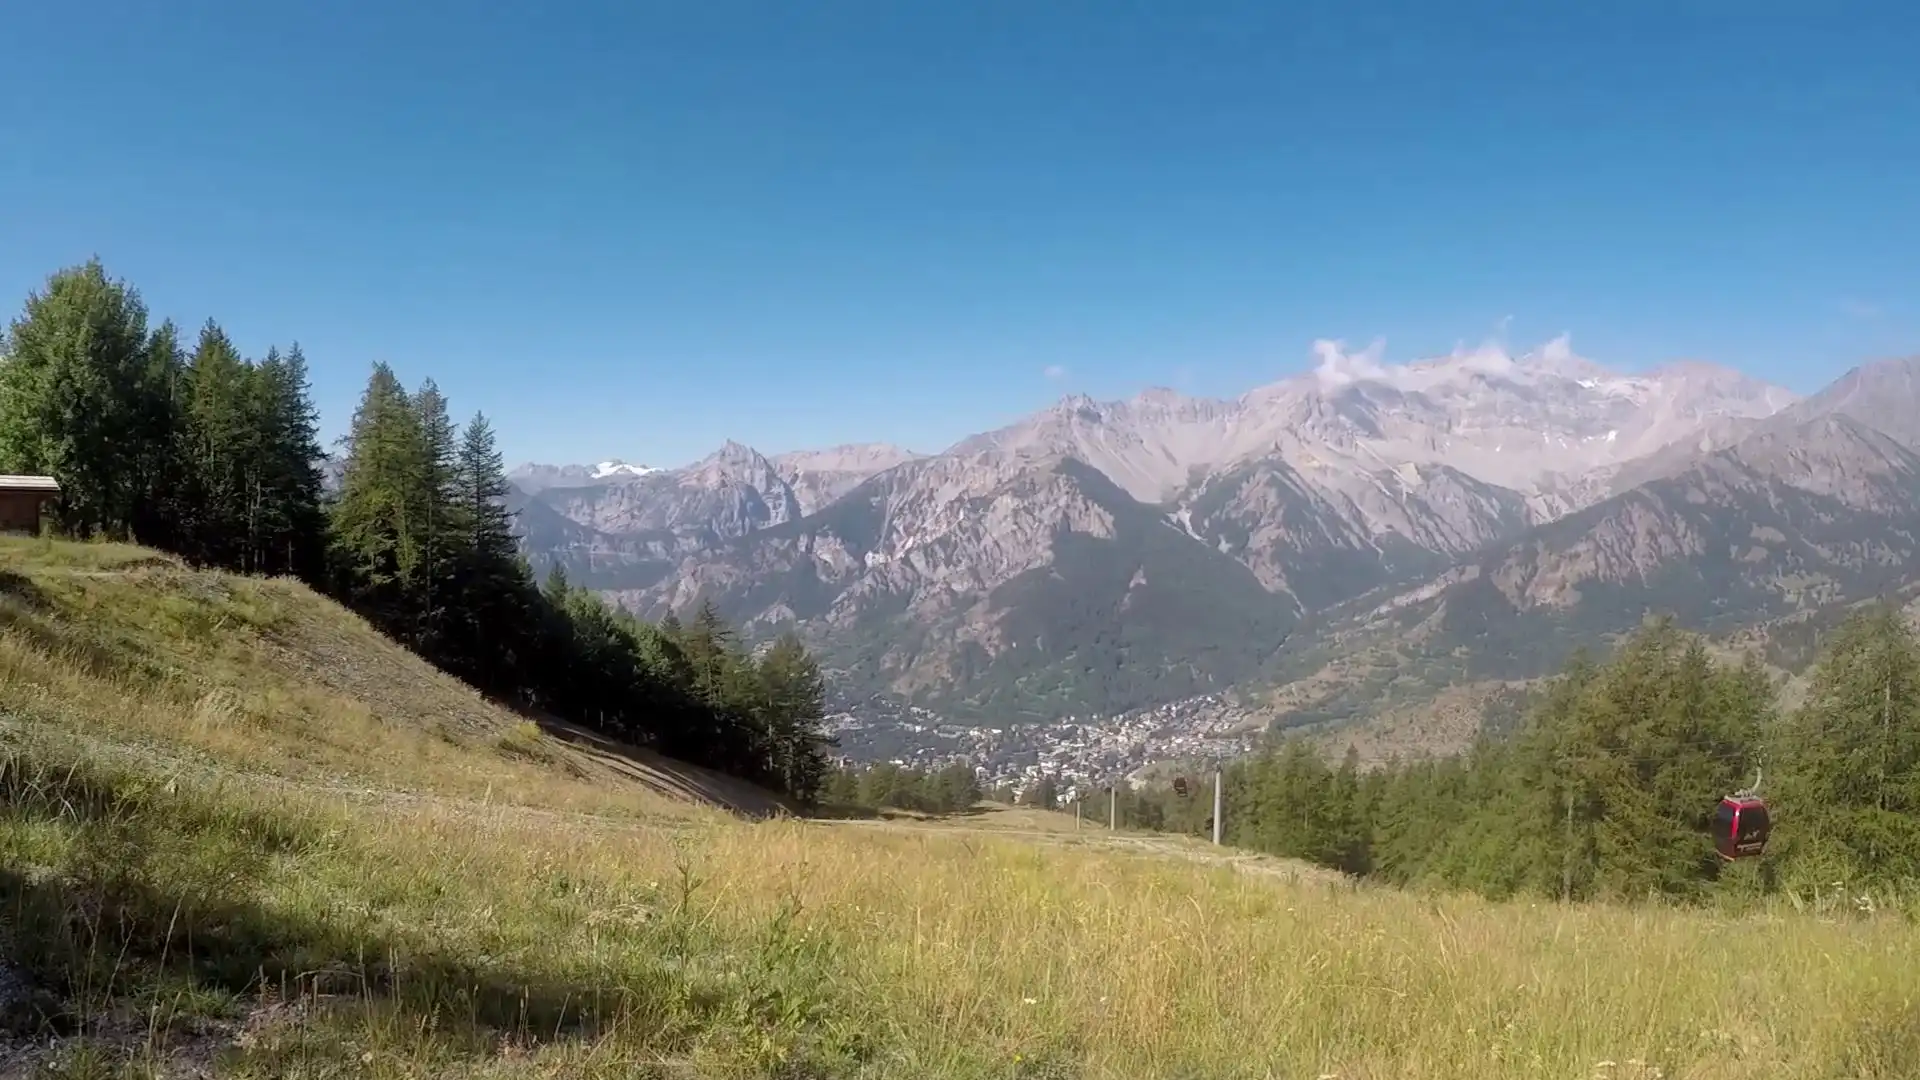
183, 445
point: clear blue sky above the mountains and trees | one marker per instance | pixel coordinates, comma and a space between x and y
638, 230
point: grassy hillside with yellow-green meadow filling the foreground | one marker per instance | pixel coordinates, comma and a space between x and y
243, 835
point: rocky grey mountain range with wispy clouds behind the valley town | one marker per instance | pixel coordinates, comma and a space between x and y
1330, 545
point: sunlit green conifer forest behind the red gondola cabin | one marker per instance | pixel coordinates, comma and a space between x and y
1608, 789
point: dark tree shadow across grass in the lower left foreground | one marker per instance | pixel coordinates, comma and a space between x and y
126, 908
